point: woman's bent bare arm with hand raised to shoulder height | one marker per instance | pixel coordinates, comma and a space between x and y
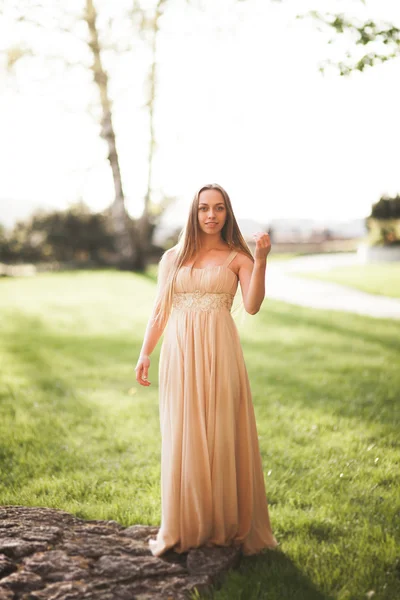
252, 274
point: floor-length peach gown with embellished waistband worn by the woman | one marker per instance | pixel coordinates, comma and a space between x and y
212, 482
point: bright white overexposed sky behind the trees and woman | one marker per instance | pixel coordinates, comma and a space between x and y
240, 102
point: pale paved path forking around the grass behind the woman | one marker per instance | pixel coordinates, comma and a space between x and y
282, 284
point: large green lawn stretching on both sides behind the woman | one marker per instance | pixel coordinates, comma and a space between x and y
78, 433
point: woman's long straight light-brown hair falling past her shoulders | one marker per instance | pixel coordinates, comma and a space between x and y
189, 244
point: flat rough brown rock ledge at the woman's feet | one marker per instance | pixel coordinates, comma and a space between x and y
48, 554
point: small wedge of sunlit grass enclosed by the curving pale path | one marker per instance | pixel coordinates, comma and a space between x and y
382, 279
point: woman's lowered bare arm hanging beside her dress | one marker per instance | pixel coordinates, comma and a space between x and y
154, 329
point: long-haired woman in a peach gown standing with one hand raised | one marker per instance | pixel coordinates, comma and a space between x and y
212, 483
